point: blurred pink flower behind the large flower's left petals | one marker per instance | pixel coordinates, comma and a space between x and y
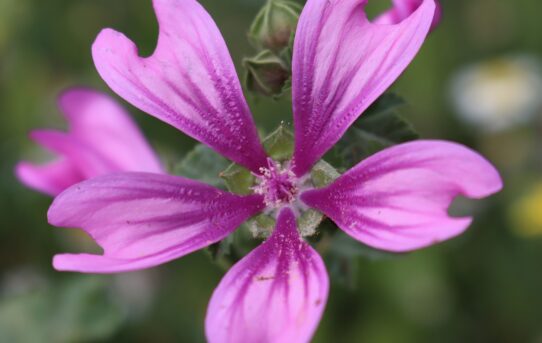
101, 139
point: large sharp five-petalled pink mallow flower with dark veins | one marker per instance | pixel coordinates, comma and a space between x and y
396, 200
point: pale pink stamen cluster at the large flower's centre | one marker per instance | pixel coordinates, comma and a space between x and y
277, 184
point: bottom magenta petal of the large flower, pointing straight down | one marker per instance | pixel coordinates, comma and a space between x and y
277, 293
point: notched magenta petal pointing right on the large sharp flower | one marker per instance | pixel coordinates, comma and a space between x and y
398, 199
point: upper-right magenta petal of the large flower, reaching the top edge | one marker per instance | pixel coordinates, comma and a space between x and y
341, 64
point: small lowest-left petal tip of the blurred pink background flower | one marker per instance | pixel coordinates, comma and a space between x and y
51, 178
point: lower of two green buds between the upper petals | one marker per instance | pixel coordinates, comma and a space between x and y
267, 73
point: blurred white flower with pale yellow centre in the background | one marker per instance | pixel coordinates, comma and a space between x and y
498, 93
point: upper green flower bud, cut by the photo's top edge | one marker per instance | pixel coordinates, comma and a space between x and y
274, 25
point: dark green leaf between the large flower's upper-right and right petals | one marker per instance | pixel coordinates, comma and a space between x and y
378, 128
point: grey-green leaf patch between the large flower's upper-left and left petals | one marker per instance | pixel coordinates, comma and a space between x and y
203, 164
